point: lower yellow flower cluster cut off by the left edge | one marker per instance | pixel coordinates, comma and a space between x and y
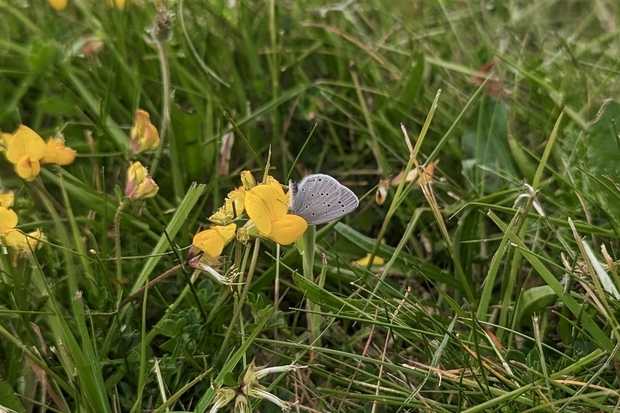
12, 237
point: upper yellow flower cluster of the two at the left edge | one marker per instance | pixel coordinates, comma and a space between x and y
27, 151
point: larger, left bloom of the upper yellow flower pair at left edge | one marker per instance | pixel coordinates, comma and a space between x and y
25, 151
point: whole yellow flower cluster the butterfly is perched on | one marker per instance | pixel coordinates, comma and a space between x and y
266, 206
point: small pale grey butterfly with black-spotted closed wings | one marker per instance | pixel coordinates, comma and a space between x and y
320, 198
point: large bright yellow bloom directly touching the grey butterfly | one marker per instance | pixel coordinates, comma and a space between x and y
267, 207
